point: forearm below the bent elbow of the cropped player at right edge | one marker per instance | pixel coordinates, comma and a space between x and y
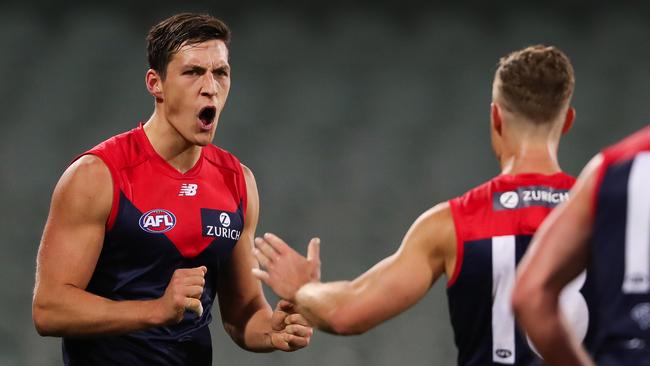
548, 330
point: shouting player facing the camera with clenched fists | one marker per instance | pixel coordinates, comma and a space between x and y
150, 227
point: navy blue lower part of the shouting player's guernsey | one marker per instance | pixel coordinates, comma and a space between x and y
135, 265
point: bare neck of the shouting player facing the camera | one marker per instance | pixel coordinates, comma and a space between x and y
170, 144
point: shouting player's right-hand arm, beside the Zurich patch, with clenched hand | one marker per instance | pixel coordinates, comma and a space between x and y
246, 315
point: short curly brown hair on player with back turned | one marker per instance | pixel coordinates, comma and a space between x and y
536, 82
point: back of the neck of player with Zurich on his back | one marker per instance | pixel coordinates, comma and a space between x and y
531, 157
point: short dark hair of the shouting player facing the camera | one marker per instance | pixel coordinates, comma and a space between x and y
168, 36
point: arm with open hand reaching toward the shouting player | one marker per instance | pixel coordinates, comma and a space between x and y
387, 289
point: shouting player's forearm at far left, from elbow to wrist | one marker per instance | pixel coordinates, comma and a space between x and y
68, 311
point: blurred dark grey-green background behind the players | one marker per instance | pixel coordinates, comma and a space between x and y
354, 116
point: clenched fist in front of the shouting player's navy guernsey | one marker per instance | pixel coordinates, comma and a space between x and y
183, 293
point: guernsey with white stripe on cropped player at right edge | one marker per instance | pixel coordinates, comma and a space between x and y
620, 253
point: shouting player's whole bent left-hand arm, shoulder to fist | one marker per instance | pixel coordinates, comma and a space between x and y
71, 243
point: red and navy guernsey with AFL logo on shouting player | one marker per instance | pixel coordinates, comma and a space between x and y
161, 220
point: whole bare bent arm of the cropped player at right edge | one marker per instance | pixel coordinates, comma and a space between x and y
558, 253
